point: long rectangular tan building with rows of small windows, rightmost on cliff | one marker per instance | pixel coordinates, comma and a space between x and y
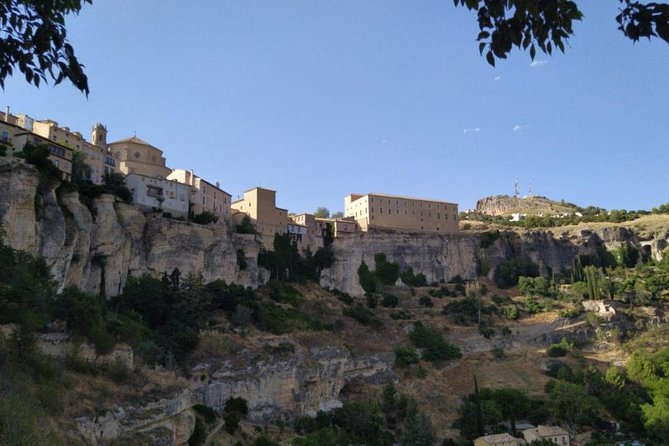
404, 214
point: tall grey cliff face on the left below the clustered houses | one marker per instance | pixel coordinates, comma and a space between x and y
97, 249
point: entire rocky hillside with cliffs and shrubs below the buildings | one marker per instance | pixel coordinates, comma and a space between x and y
186, 333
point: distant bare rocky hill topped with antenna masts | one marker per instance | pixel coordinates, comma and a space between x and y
535, 205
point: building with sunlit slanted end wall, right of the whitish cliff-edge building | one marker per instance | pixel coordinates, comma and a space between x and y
204, 195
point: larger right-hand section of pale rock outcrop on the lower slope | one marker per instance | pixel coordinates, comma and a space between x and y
285, 387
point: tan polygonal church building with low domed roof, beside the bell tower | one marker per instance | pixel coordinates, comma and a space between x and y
140, 157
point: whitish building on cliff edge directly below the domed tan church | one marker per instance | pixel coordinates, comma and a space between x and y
159, 194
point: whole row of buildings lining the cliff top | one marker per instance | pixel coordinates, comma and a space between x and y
180, 193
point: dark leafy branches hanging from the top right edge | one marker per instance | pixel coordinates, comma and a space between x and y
546, 25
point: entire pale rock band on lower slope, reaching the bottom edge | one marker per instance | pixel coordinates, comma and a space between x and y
276, 387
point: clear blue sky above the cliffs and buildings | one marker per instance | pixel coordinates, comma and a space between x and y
318, 99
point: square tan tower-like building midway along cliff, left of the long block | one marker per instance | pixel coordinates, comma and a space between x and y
260, 205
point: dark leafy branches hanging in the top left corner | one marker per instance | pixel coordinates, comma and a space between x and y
33, 39
